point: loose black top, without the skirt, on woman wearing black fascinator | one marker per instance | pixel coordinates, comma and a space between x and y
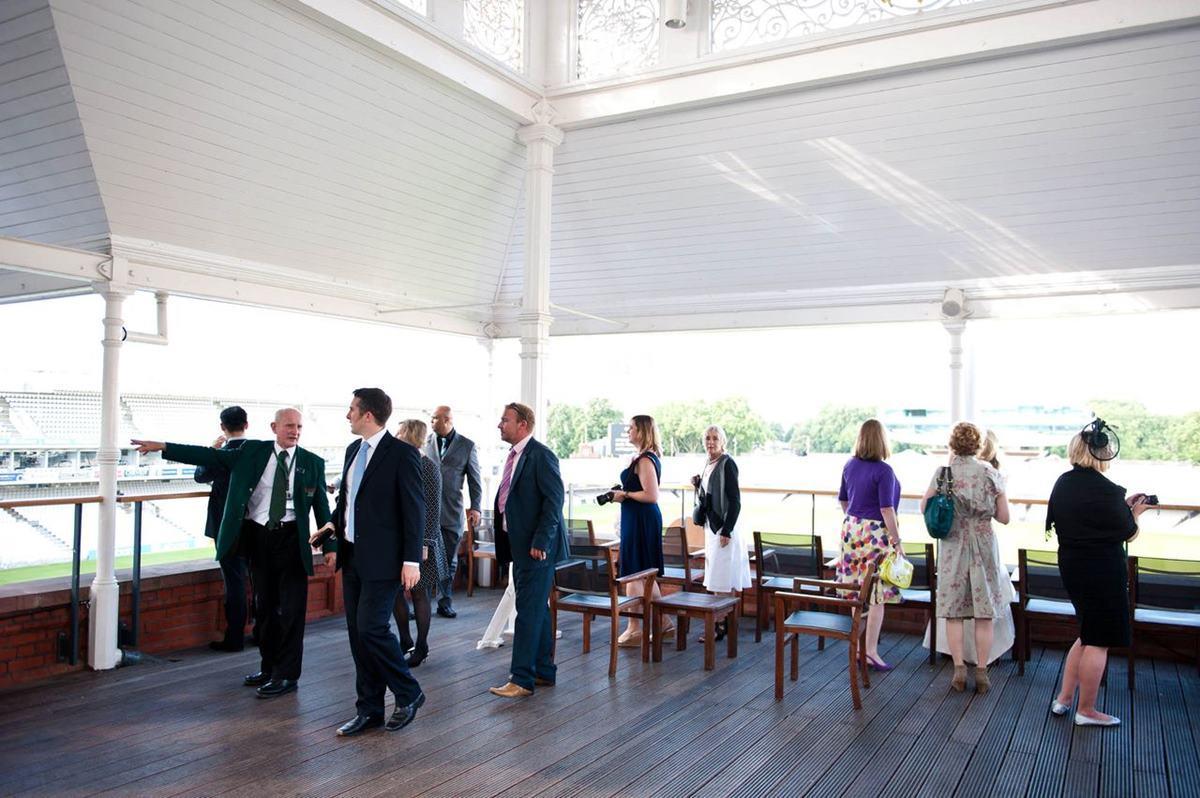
1089, 512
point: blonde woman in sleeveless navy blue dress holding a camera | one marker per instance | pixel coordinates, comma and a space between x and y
641, 520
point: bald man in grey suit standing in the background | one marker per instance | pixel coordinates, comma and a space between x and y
457, 457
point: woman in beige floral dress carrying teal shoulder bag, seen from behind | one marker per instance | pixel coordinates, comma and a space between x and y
973, 581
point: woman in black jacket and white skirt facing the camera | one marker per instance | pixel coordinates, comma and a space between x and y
719, 501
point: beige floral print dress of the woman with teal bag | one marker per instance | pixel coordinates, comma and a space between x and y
973, 581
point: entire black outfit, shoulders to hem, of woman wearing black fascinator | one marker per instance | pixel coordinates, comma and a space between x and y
1093, 521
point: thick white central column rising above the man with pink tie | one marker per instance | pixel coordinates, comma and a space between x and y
535, 320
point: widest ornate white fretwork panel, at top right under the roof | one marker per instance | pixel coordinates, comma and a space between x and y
745, 23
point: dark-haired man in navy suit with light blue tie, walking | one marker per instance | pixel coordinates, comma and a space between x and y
380, 521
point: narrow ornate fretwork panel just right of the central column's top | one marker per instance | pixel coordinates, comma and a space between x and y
616, 38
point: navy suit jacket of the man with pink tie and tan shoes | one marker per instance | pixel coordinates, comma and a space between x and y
533, 515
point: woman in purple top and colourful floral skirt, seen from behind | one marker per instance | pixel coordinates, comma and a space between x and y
869, 496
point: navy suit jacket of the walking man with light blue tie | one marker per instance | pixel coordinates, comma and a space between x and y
389, 509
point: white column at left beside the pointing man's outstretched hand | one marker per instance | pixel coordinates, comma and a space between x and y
103, 616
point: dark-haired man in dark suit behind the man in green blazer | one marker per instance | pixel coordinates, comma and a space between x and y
233, 566
